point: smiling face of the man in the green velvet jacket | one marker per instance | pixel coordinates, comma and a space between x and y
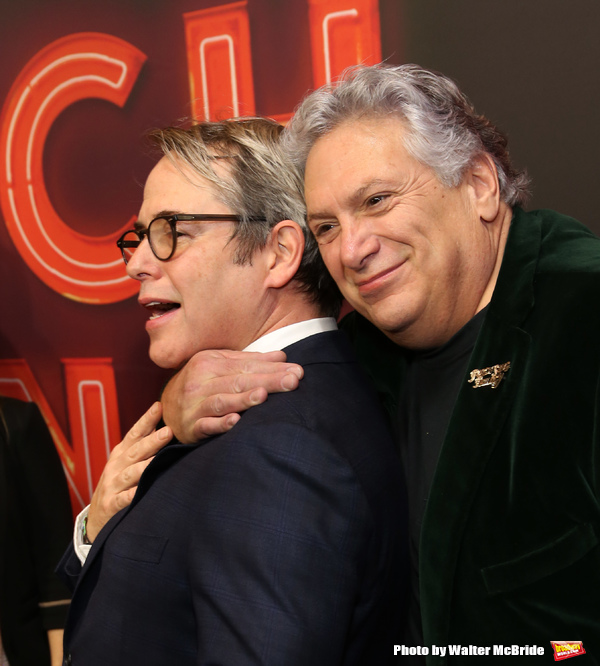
411, 255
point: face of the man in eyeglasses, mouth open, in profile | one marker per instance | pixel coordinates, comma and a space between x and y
199, 299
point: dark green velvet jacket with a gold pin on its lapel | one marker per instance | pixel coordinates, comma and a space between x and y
509, 551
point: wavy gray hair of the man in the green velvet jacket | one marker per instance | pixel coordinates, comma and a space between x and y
444, 131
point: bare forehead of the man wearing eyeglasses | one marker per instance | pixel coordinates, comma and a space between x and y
172, 185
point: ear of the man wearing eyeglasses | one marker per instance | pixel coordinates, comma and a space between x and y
284, 251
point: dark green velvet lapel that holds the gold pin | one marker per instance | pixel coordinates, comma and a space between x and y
476, 425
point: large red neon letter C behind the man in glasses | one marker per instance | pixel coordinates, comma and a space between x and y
73, 68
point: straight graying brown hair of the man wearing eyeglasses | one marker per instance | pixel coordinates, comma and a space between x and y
260, 181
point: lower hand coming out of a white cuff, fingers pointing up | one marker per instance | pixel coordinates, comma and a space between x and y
125, 466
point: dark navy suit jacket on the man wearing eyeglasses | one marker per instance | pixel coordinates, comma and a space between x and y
281, 542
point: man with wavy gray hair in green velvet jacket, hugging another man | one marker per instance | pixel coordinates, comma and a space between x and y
474, 320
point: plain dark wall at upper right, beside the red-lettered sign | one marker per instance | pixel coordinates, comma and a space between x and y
529, 65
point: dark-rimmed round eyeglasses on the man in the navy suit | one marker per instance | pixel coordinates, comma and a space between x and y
162, 233
